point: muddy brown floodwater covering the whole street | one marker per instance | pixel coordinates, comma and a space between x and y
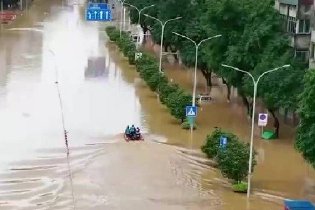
52, 43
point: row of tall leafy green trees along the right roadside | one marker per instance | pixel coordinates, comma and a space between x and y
252, 40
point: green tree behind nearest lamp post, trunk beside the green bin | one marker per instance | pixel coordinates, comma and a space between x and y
281, 88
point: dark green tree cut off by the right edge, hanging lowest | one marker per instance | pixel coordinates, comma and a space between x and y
305, 140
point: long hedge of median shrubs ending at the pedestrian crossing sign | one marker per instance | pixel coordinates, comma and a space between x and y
170, 94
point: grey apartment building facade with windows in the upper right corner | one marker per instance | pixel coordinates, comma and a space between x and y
298, 16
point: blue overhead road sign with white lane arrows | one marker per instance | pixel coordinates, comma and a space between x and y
98, 12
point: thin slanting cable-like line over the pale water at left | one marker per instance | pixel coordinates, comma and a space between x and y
64, 130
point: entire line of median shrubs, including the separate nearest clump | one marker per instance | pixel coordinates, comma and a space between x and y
232, 157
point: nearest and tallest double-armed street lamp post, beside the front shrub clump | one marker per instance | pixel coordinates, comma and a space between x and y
255, 82
